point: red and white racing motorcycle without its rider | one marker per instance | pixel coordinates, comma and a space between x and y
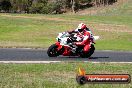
64, 46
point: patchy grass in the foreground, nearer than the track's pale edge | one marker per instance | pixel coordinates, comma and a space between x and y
57, 75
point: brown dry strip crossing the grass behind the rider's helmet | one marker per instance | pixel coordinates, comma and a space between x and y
92, 25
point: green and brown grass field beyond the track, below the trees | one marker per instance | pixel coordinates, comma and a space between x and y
40, 31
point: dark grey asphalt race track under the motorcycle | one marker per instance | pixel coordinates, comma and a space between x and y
41, 55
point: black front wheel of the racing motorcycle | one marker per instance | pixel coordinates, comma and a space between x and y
52, 51
